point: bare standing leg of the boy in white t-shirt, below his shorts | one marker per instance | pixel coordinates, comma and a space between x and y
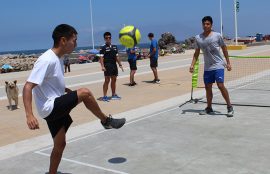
59, 143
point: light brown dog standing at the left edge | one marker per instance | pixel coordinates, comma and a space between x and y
12, 93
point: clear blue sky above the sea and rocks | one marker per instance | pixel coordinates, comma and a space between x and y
28, 24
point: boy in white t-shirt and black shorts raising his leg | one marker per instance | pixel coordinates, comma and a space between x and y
53, 100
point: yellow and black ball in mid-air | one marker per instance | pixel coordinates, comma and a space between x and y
129, 36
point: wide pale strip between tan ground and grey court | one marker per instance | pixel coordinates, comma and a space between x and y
33, 144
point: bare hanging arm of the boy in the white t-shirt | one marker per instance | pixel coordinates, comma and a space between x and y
32, 122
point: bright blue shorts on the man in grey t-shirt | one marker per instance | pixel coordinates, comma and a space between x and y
213, 76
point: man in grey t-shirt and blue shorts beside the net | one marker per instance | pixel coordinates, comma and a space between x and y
210, 42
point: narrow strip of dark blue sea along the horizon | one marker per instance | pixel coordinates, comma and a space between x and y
39, 51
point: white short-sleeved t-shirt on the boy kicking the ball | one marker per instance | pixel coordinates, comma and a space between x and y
48, 74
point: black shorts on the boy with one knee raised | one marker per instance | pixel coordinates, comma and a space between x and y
59, 117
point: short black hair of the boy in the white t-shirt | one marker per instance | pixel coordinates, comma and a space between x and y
63, 30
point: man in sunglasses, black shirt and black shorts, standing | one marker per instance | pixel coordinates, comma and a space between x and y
109, 57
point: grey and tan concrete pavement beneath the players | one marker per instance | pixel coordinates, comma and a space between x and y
159, 137
